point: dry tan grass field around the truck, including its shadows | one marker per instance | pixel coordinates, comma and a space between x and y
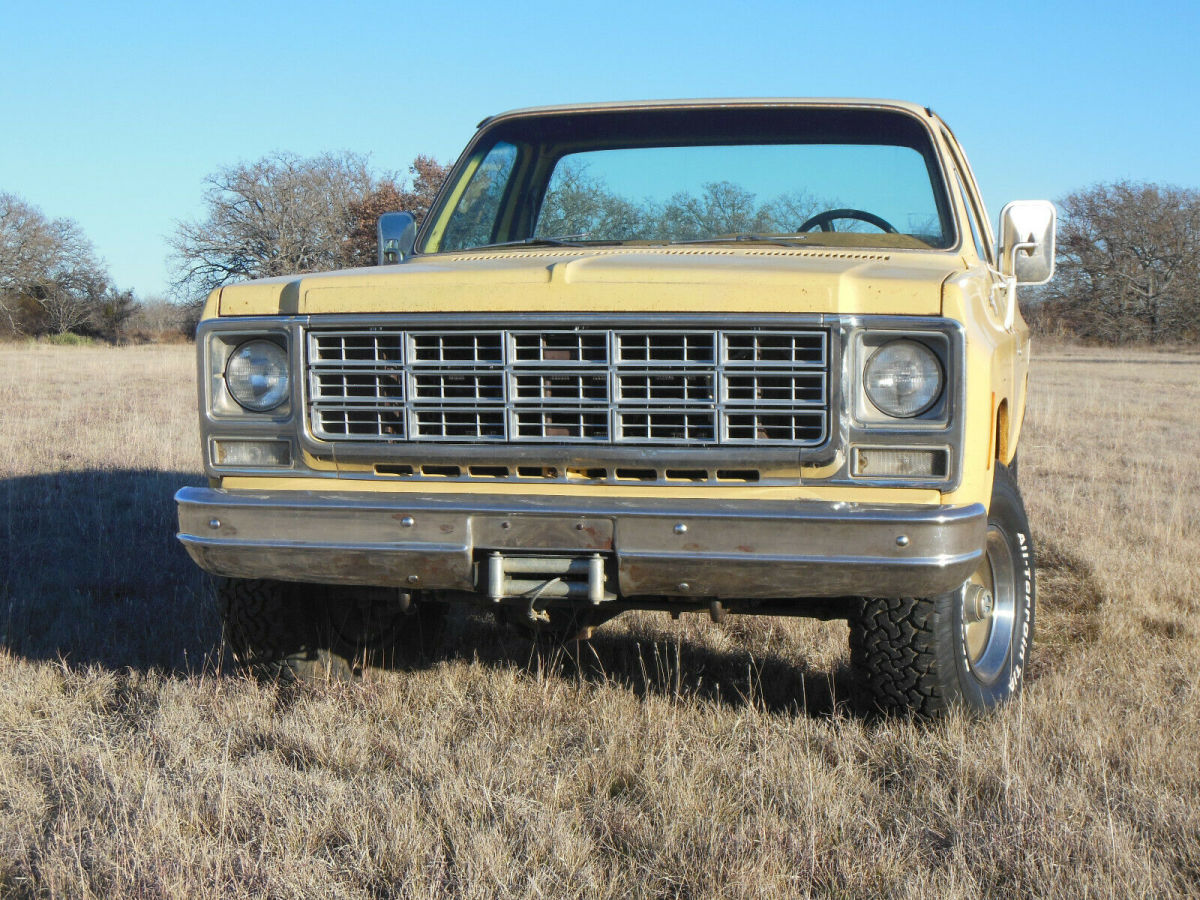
683, 760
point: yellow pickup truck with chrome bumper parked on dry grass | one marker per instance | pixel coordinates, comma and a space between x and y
725, 357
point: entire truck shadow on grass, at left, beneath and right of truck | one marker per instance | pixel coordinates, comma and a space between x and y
91, 573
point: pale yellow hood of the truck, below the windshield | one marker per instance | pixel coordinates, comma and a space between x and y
653, 280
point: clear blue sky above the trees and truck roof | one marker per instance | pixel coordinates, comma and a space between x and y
112, 115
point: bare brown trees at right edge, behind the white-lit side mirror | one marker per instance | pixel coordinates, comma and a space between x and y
1129, 265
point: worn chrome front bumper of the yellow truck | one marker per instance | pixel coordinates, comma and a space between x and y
657, 548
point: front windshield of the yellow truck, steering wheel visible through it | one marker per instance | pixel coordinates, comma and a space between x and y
782, 176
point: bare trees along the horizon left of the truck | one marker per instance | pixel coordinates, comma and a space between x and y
278, 215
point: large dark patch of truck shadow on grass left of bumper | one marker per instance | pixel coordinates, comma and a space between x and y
91, 573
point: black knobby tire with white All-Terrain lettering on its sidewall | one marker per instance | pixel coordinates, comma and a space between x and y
910, 656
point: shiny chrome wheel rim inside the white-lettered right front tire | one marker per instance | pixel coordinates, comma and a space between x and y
989, 609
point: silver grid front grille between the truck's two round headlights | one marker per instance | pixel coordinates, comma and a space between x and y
584, 386
